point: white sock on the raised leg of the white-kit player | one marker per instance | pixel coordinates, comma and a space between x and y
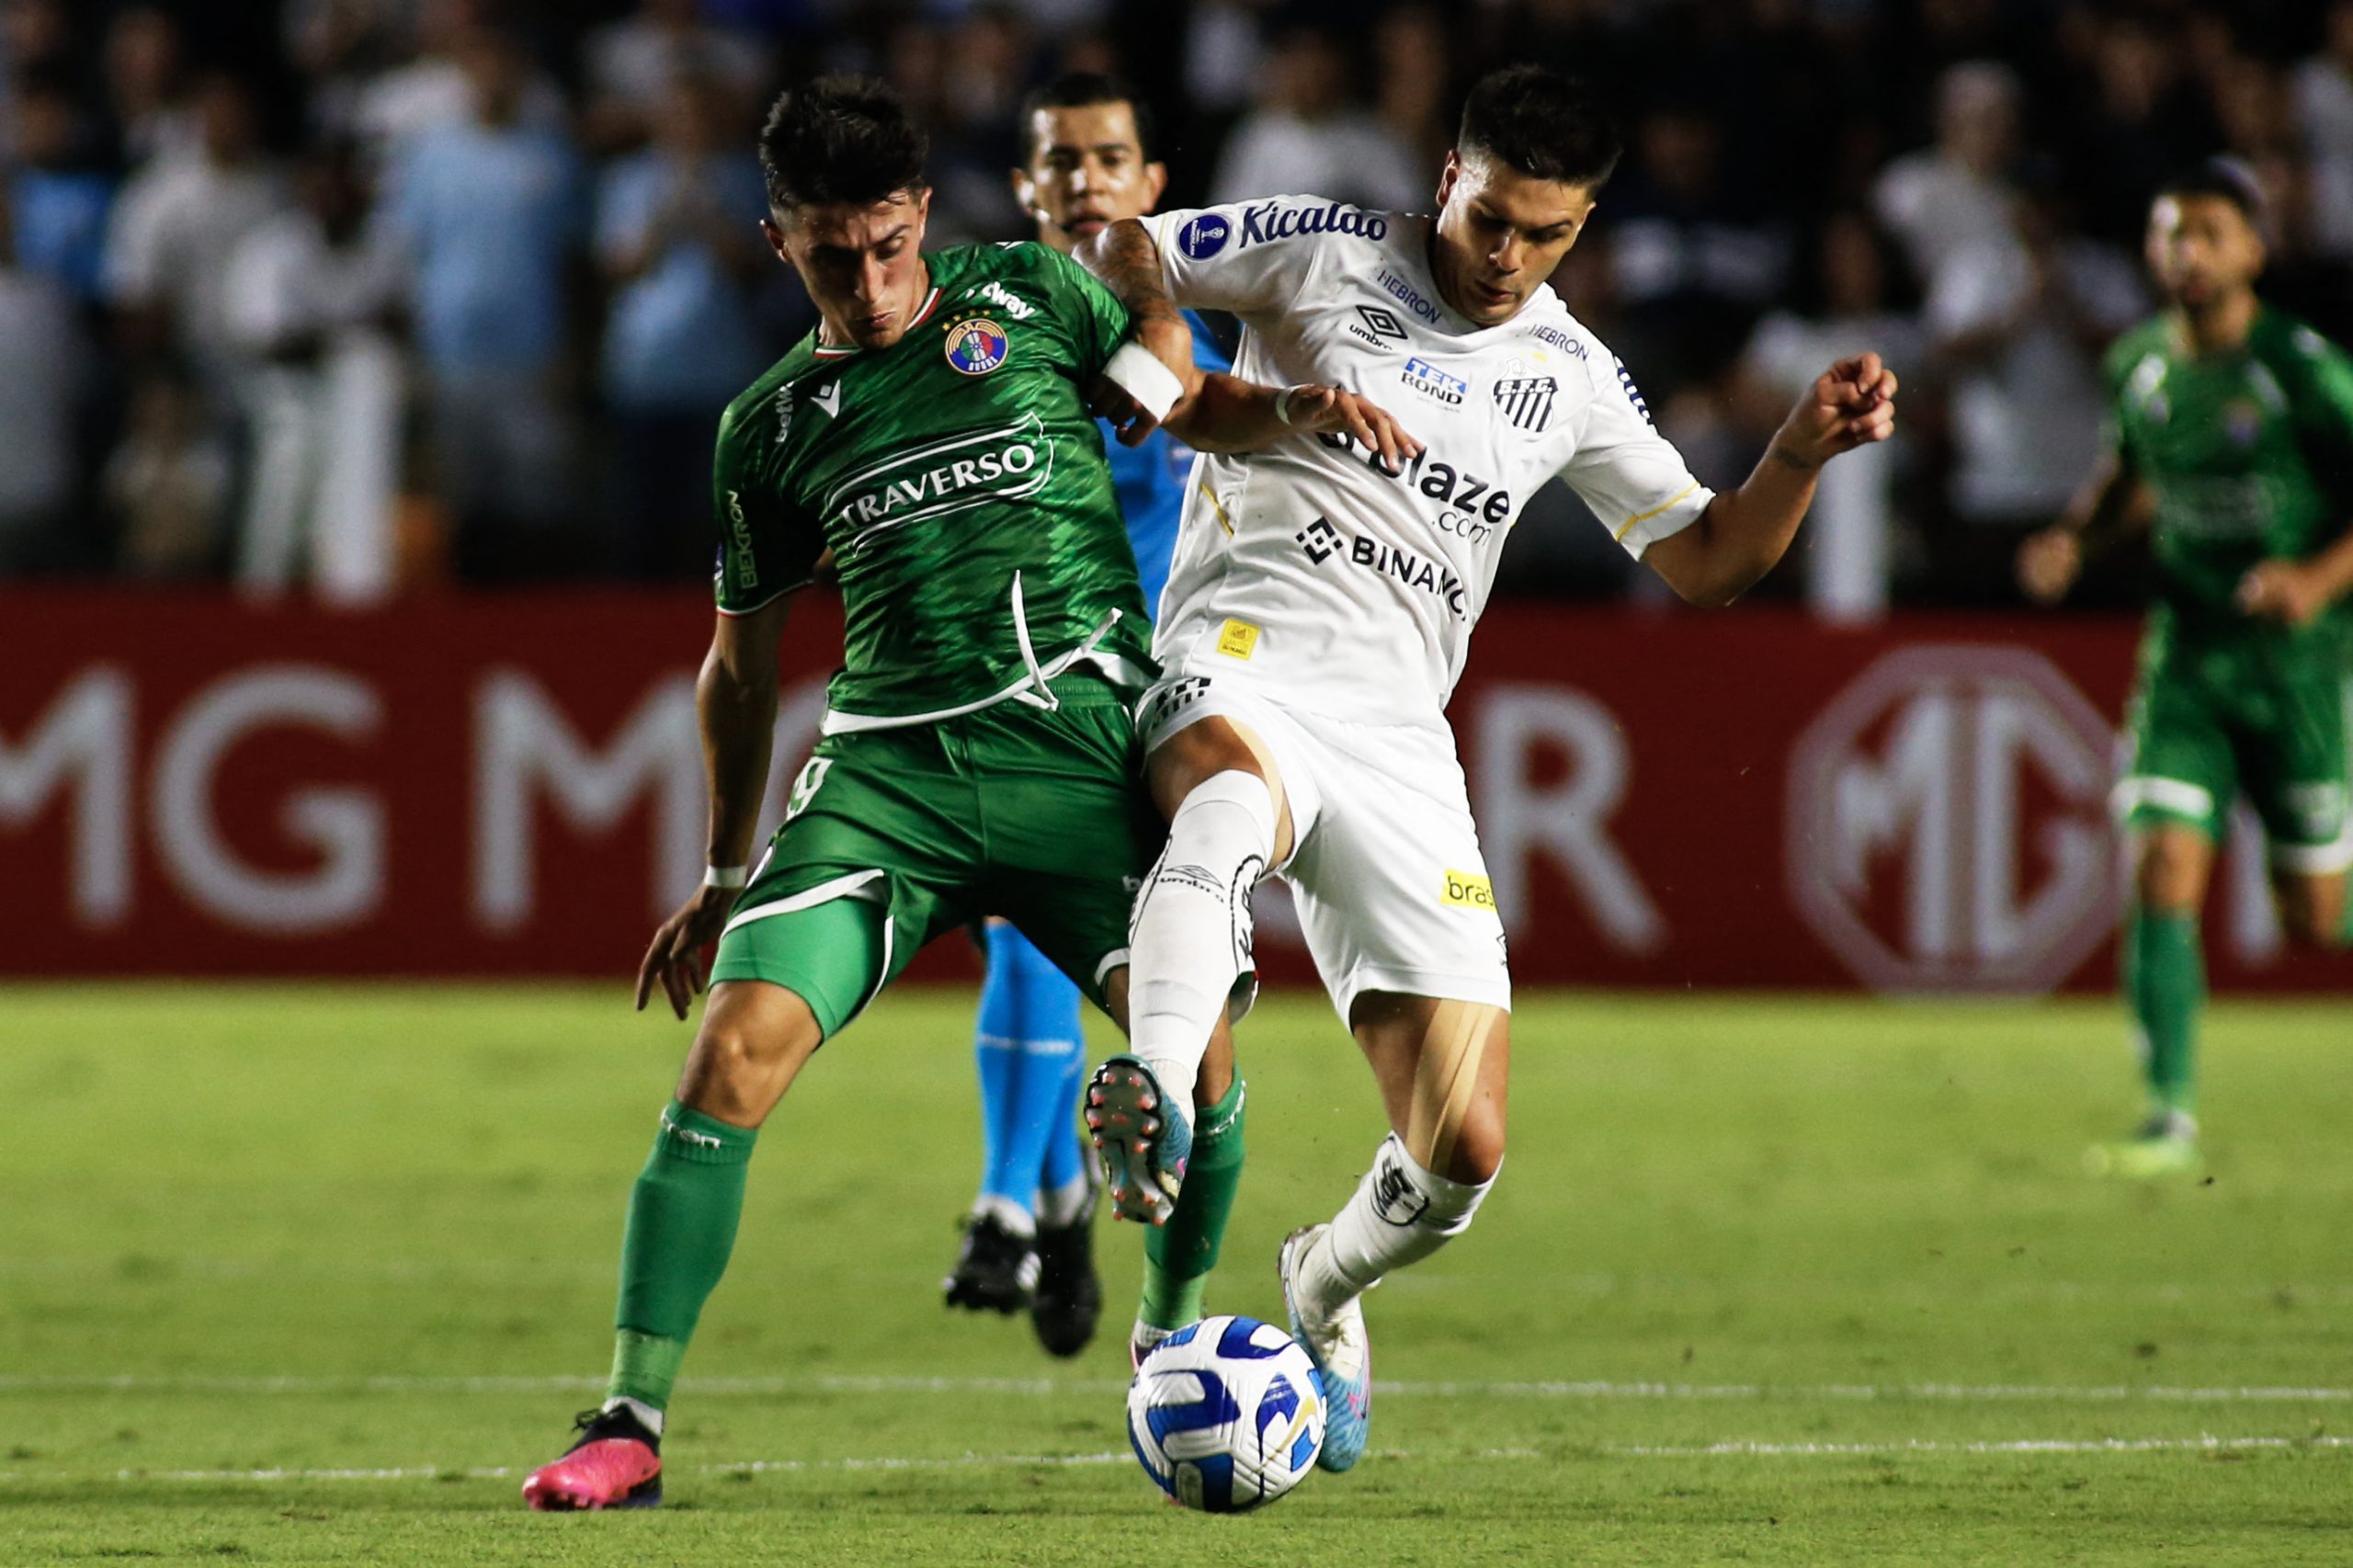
1192, 926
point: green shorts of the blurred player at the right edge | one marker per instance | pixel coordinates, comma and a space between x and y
2258, 715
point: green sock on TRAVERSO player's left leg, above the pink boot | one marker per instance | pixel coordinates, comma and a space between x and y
681, 1230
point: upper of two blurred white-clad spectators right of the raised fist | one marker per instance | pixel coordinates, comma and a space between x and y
1957, 192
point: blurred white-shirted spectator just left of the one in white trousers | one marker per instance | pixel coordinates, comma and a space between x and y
175, 230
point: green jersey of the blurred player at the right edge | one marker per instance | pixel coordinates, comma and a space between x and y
2248, 456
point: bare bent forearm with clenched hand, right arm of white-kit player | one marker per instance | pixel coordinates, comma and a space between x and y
1747, 531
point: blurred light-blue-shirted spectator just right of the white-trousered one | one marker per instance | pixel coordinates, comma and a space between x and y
491, 208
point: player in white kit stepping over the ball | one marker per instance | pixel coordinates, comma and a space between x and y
1317, 623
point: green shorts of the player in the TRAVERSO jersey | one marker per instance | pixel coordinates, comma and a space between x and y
1018, 811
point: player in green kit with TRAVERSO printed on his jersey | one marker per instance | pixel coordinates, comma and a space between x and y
935, 439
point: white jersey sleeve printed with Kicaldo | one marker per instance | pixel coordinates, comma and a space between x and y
1251, 258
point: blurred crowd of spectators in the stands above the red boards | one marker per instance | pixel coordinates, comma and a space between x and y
349, 298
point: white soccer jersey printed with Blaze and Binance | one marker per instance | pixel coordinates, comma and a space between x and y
1312, 569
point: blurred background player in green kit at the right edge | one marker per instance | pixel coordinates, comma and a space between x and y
2234, 449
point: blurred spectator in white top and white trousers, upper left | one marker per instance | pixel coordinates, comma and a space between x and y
312, 300
